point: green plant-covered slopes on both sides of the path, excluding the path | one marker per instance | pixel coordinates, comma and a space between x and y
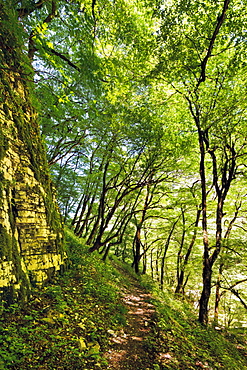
66, 324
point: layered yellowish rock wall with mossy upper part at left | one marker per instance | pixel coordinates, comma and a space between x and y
31, 237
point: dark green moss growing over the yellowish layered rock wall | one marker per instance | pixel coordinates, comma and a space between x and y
18, 102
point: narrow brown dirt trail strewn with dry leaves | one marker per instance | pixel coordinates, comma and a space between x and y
131, 348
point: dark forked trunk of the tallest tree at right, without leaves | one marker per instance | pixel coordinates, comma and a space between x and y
203, 139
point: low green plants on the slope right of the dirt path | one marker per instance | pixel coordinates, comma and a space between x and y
189, 345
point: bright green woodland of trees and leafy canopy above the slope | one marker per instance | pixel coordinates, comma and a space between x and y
142, 107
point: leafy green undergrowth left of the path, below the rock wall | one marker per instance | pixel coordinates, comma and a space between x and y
65, 324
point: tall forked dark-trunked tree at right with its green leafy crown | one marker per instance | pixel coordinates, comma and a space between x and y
203, 61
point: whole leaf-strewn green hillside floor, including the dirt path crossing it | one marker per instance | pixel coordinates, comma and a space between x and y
97, 316
